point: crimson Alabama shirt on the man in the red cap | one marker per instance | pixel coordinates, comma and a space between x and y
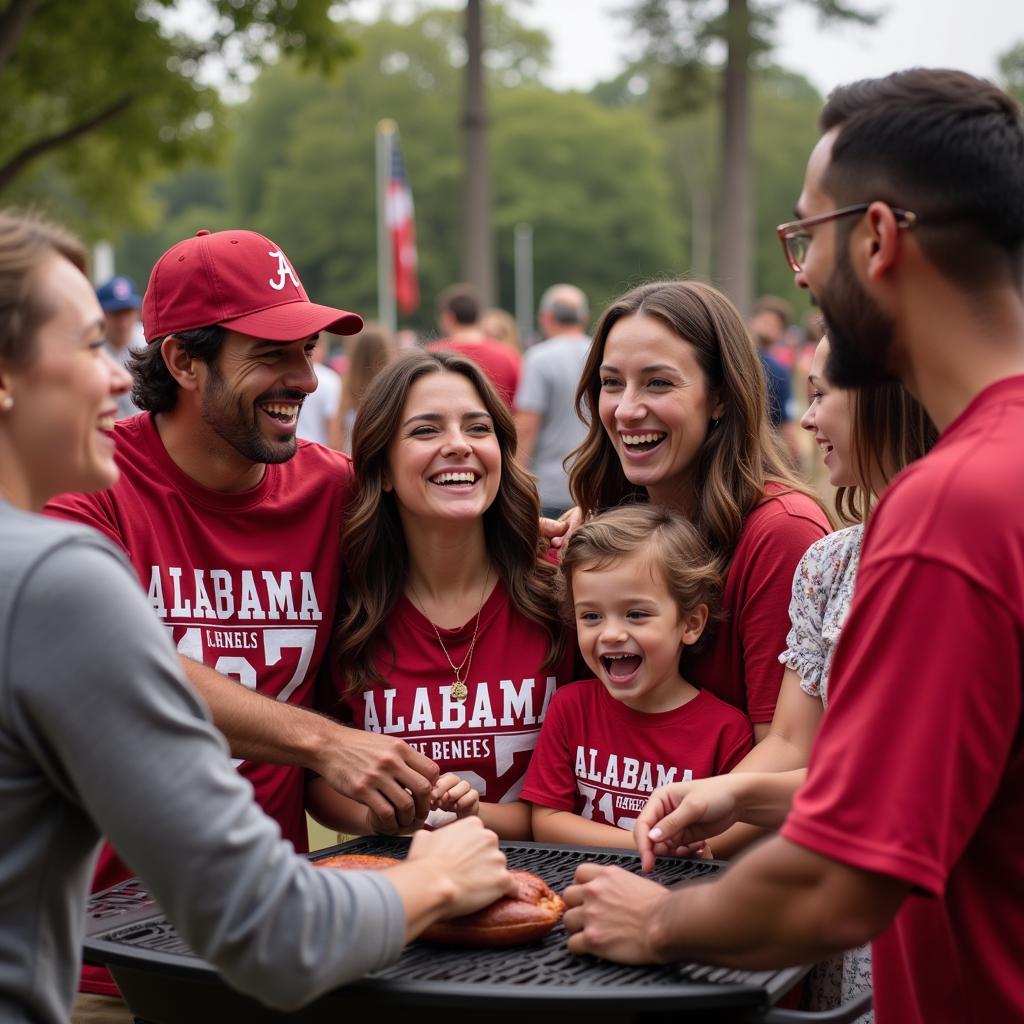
246, 583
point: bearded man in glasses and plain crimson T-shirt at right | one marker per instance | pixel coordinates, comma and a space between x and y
912, 242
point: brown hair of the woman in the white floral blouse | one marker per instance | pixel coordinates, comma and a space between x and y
889, 430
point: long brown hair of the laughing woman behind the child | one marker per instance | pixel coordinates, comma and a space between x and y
740, 456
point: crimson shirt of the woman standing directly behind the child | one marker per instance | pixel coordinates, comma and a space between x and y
741, 664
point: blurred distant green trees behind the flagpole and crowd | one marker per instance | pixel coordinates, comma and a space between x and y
614, 193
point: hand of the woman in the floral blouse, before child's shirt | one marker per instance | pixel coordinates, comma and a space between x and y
680, 816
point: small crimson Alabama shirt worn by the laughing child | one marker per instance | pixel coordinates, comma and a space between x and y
602, 760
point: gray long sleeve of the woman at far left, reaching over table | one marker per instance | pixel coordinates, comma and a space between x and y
102, 701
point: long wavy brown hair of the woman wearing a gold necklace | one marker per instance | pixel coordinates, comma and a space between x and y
374, 556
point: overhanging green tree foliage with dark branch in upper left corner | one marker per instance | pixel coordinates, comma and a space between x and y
102, 95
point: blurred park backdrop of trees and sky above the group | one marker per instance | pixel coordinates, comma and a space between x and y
142, 121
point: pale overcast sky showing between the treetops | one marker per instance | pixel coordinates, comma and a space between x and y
591, 44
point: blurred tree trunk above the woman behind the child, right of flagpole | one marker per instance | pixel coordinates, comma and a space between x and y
737, 250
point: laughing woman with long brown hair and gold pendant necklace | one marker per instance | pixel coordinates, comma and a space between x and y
449, 634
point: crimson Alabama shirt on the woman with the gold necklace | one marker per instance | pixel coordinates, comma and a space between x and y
488, 739
